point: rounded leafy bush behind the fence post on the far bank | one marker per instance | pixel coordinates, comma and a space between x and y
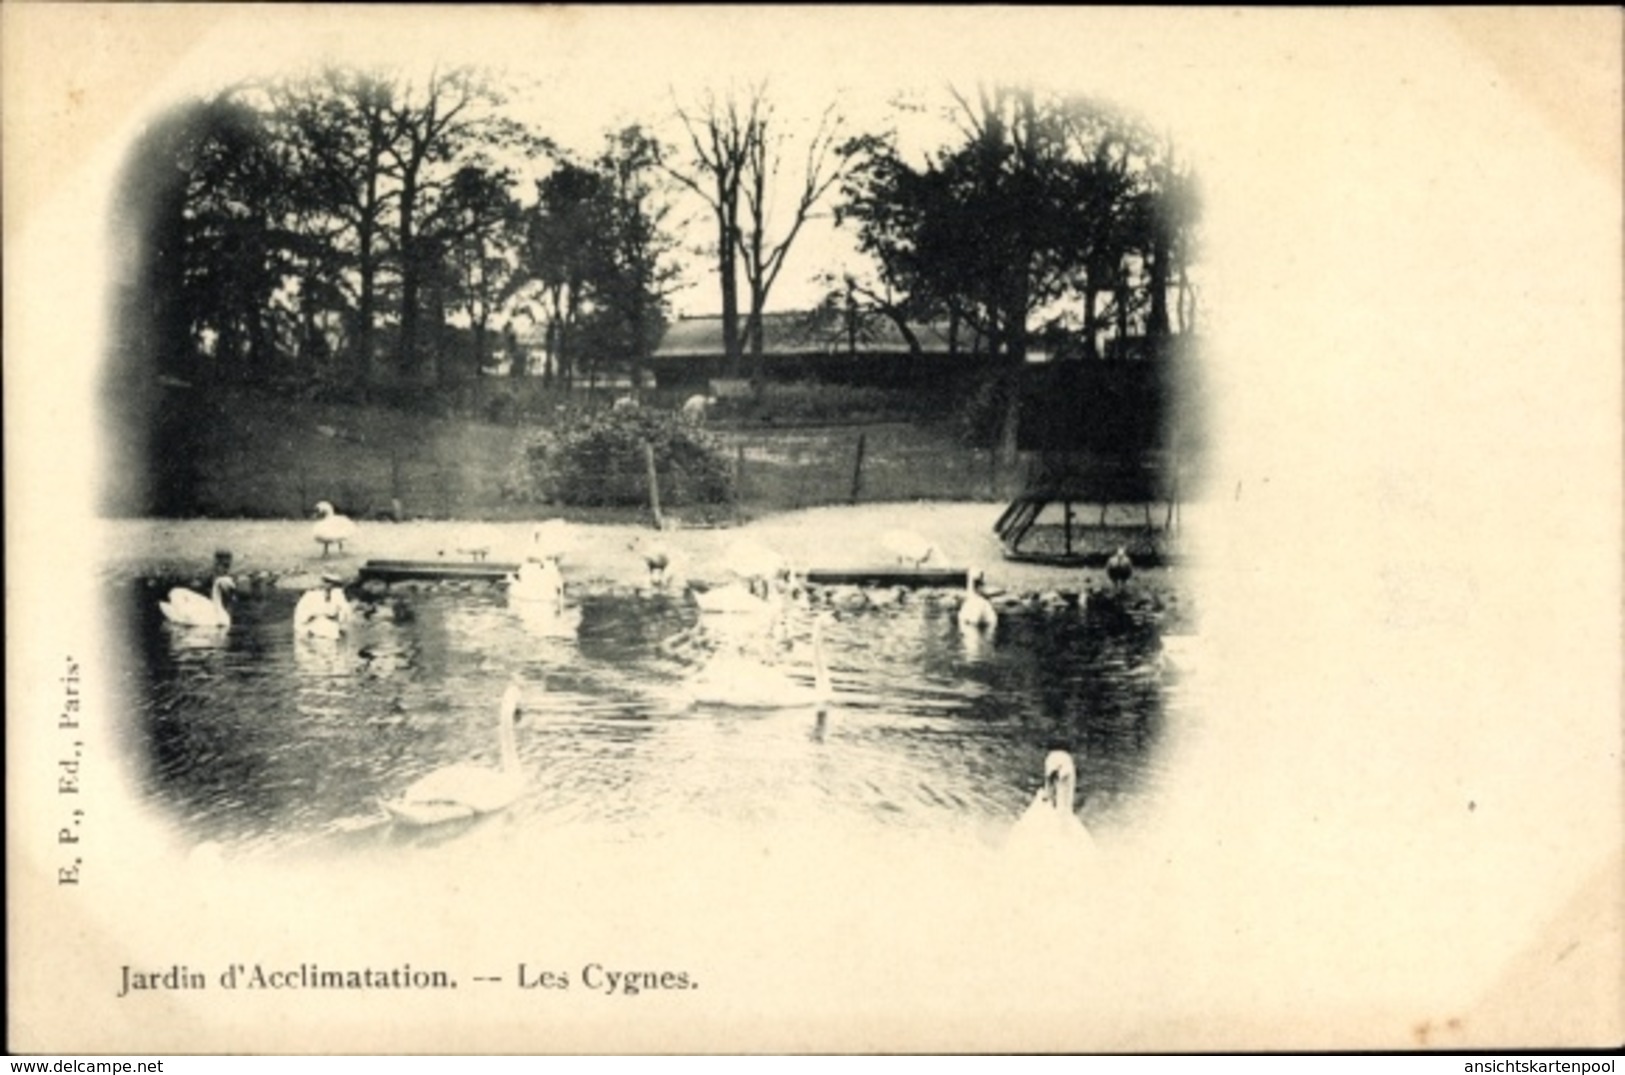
597, 460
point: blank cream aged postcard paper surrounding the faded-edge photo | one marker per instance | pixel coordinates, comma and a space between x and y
1411, 556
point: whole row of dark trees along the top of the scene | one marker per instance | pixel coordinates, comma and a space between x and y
366, 233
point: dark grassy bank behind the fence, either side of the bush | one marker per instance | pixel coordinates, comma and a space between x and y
251, 455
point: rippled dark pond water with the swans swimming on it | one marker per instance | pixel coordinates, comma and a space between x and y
267, 745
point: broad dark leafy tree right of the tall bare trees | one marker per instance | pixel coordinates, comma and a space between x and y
1042, 202
